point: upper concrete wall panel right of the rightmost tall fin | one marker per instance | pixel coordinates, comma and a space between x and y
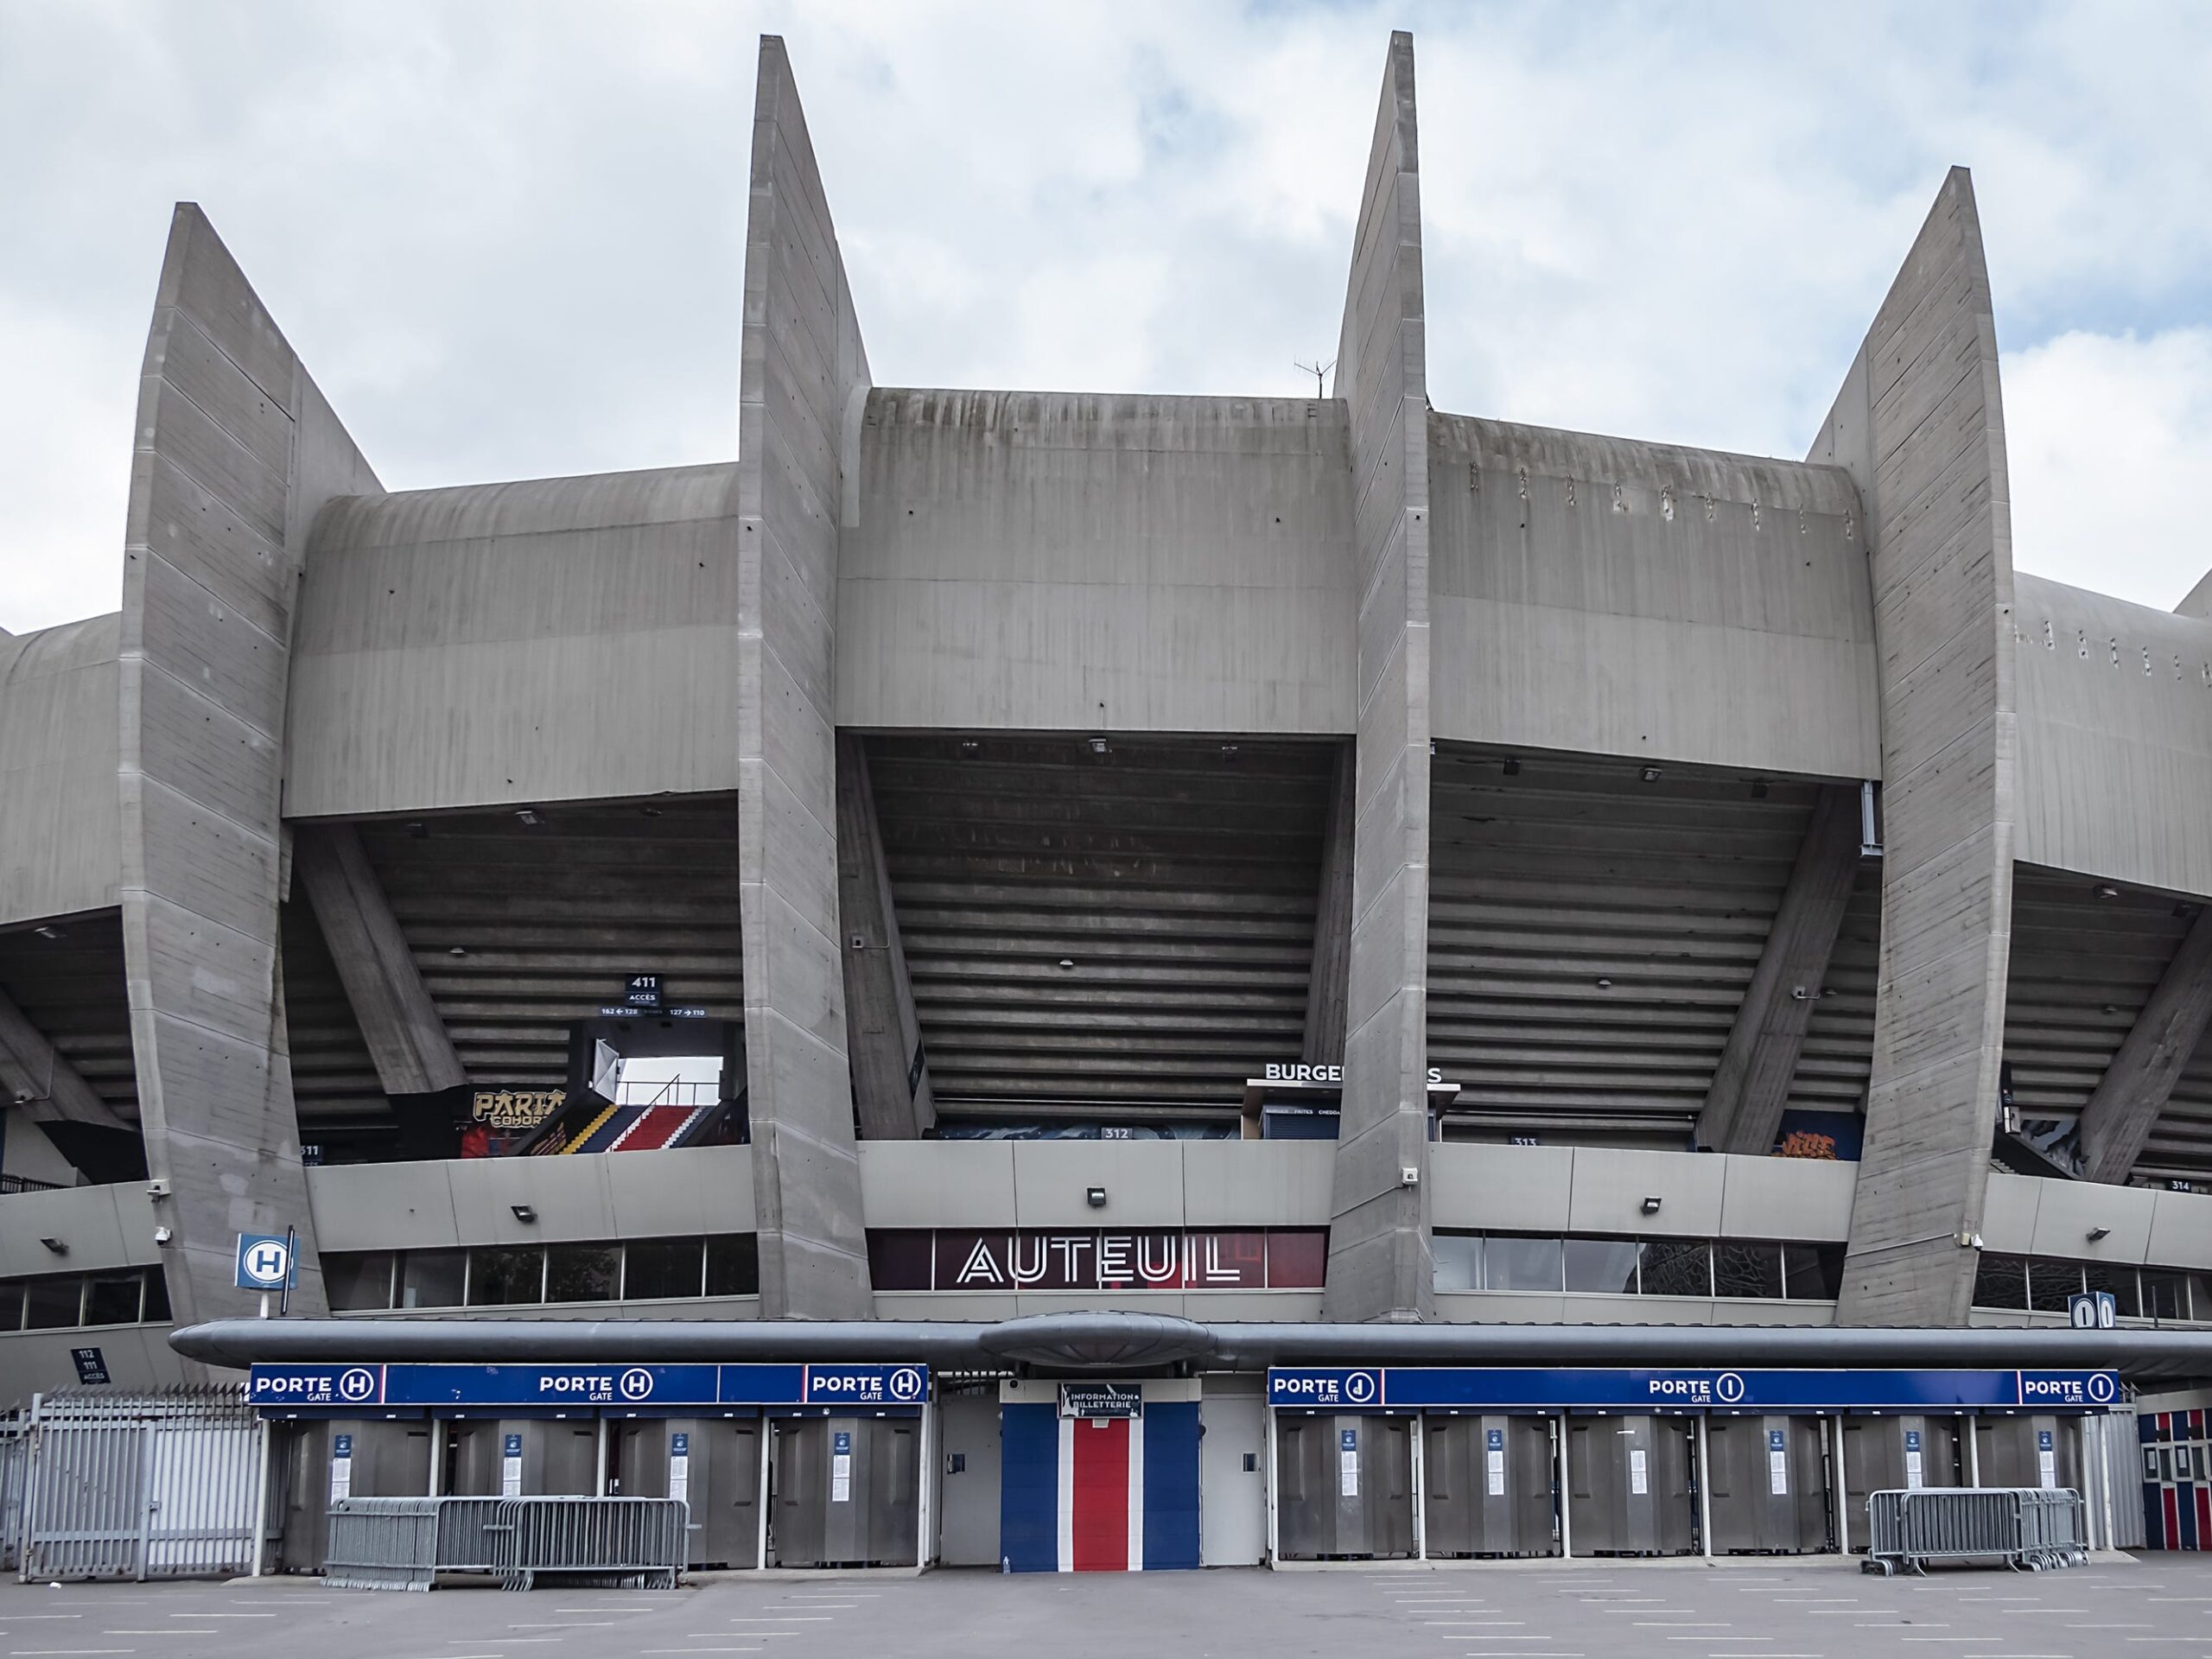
2116, 738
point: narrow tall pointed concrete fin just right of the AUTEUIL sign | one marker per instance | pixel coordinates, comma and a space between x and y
1379, 1218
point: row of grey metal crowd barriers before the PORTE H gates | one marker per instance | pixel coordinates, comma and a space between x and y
406, 1543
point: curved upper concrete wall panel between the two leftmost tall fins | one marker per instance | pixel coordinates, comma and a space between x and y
543, 640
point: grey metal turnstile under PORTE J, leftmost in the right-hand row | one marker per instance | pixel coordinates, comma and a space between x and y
1344, 1488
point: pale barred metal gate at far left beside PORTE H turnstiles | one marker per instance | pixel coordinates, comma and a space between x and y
140, 1485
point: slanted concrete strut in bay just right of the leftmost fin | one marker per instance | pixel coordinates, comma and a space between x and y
408, 1041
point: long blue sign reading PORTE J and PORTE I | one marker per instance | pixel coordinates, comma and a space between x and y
1598, 1390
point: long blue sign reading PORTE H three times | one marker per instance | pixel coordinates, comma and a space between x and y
587, 1386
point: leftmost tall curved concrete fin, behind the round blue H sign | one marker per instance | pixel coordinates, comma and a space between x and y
236, 455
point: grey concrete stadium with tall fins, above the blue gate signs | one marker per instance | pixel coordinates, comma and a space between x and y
1258, 862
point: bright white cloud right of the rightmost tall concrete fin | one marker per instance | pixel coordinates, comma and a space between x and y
2111, 452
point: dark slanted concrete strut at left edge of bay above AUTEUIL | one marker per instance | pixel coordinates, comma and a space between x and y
890, 1076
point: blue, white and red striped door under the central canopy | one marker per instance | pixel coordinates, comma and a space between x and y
1103, 1494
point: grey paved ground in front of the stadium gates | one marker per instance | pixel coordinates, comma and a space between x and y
1762, 1607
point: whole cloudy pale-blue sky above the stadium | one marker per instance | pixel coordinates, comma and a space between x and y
510, 238
